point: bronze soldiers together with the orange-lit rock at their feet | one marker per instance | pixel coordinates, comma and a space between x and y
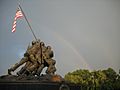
36, 58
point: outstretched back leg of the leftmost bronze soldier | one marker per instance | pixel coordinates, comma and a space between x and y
22, 61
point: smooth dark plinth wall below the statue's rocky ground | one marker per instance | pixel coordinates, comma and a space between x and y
37, 86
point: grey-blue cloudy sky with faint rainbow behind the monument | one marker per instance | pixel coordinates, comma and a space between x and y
84, 34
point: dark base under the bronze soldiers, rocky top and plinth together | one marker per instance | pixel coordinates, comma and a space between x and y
34, 83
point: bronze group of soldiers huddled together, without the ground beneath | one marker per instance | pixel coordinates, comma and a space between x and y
36, 58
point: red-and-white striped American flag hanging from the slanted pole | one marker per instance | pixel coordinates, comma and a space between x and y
18, 15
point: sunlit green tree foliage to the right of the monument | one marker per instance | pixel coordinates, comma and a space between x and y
99, 80
